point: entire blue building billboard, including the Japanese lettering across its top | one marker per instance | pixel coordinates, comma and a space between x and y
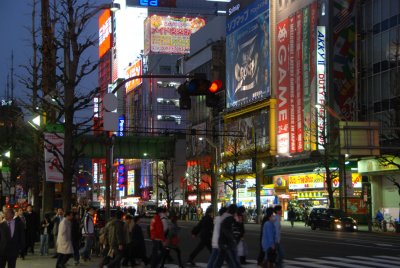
247, 53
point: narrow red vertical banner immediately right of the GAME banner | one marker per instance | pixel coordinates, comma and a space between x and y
292, 87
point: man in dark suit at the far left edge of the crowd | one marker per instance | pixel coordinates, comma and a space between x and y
12, 239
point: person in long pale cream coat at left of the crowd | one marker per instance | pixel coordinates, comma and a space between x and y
64, 241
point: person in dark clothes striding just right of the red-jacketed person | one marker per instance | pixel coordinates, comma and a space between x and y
204, 230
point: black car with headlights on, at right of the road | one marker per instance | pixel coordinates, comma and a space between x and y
332, 219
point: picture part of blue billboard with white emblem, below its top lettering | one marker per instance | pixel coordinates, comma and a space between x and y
248, 63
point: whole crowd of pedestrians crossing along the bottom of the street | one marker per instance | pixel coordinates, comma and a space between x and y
121, 241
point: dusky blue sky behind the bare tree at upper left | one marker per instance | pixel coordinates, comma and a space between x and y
15, 22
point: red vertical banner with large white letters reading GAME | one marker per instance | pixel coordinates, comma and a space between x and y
282, 46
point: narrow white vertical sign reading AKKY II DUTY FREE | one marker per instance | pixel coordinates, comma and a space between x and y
321, 85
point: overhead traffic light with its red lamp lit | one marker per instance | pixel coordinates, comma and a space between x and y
199, 87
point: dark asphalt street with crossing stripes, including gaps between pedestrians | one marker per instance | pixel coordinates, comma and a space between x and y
303, 248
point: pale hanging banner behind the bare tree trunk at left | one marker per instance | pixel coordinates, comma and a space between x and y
53, 155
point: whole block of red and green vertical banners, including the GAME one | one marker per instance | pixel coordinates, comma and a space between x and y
297, 76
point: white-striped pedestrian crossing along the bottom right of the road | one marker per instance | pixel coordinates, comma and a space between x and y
324, 262
